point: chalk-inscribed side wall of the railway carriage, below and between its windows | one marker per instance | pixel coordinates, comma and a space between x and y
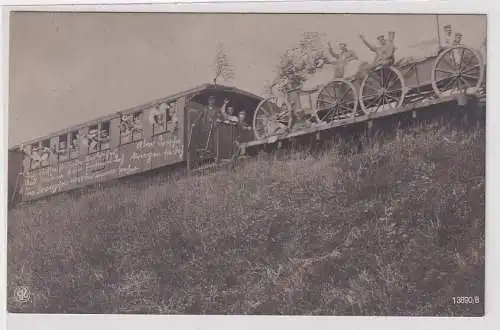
118, 161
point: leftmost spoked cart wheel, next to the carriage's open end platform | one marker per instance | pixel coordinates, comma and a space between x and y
270, 119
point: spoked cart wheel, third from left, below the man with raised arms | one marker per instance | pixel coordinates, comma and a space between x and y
382, 89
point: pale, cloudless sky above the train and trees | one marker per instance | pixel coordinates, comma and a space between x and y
69, 68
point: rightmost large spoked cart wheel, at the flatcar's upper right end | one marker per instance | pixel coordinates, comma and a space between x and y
457, 69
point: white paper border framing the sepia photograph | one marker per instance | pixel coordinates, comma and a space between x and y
76, 322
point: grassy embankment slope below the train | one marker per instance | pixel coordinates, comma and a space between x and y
396, 229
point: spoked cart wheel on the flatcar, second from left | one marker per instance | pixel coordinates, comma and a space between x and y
337, 100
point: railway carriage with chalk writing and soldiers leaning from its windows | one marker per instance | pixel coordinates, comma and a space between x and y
158, 134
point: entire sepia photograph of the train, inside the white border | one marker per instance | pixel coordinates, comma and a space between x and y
285, 164
